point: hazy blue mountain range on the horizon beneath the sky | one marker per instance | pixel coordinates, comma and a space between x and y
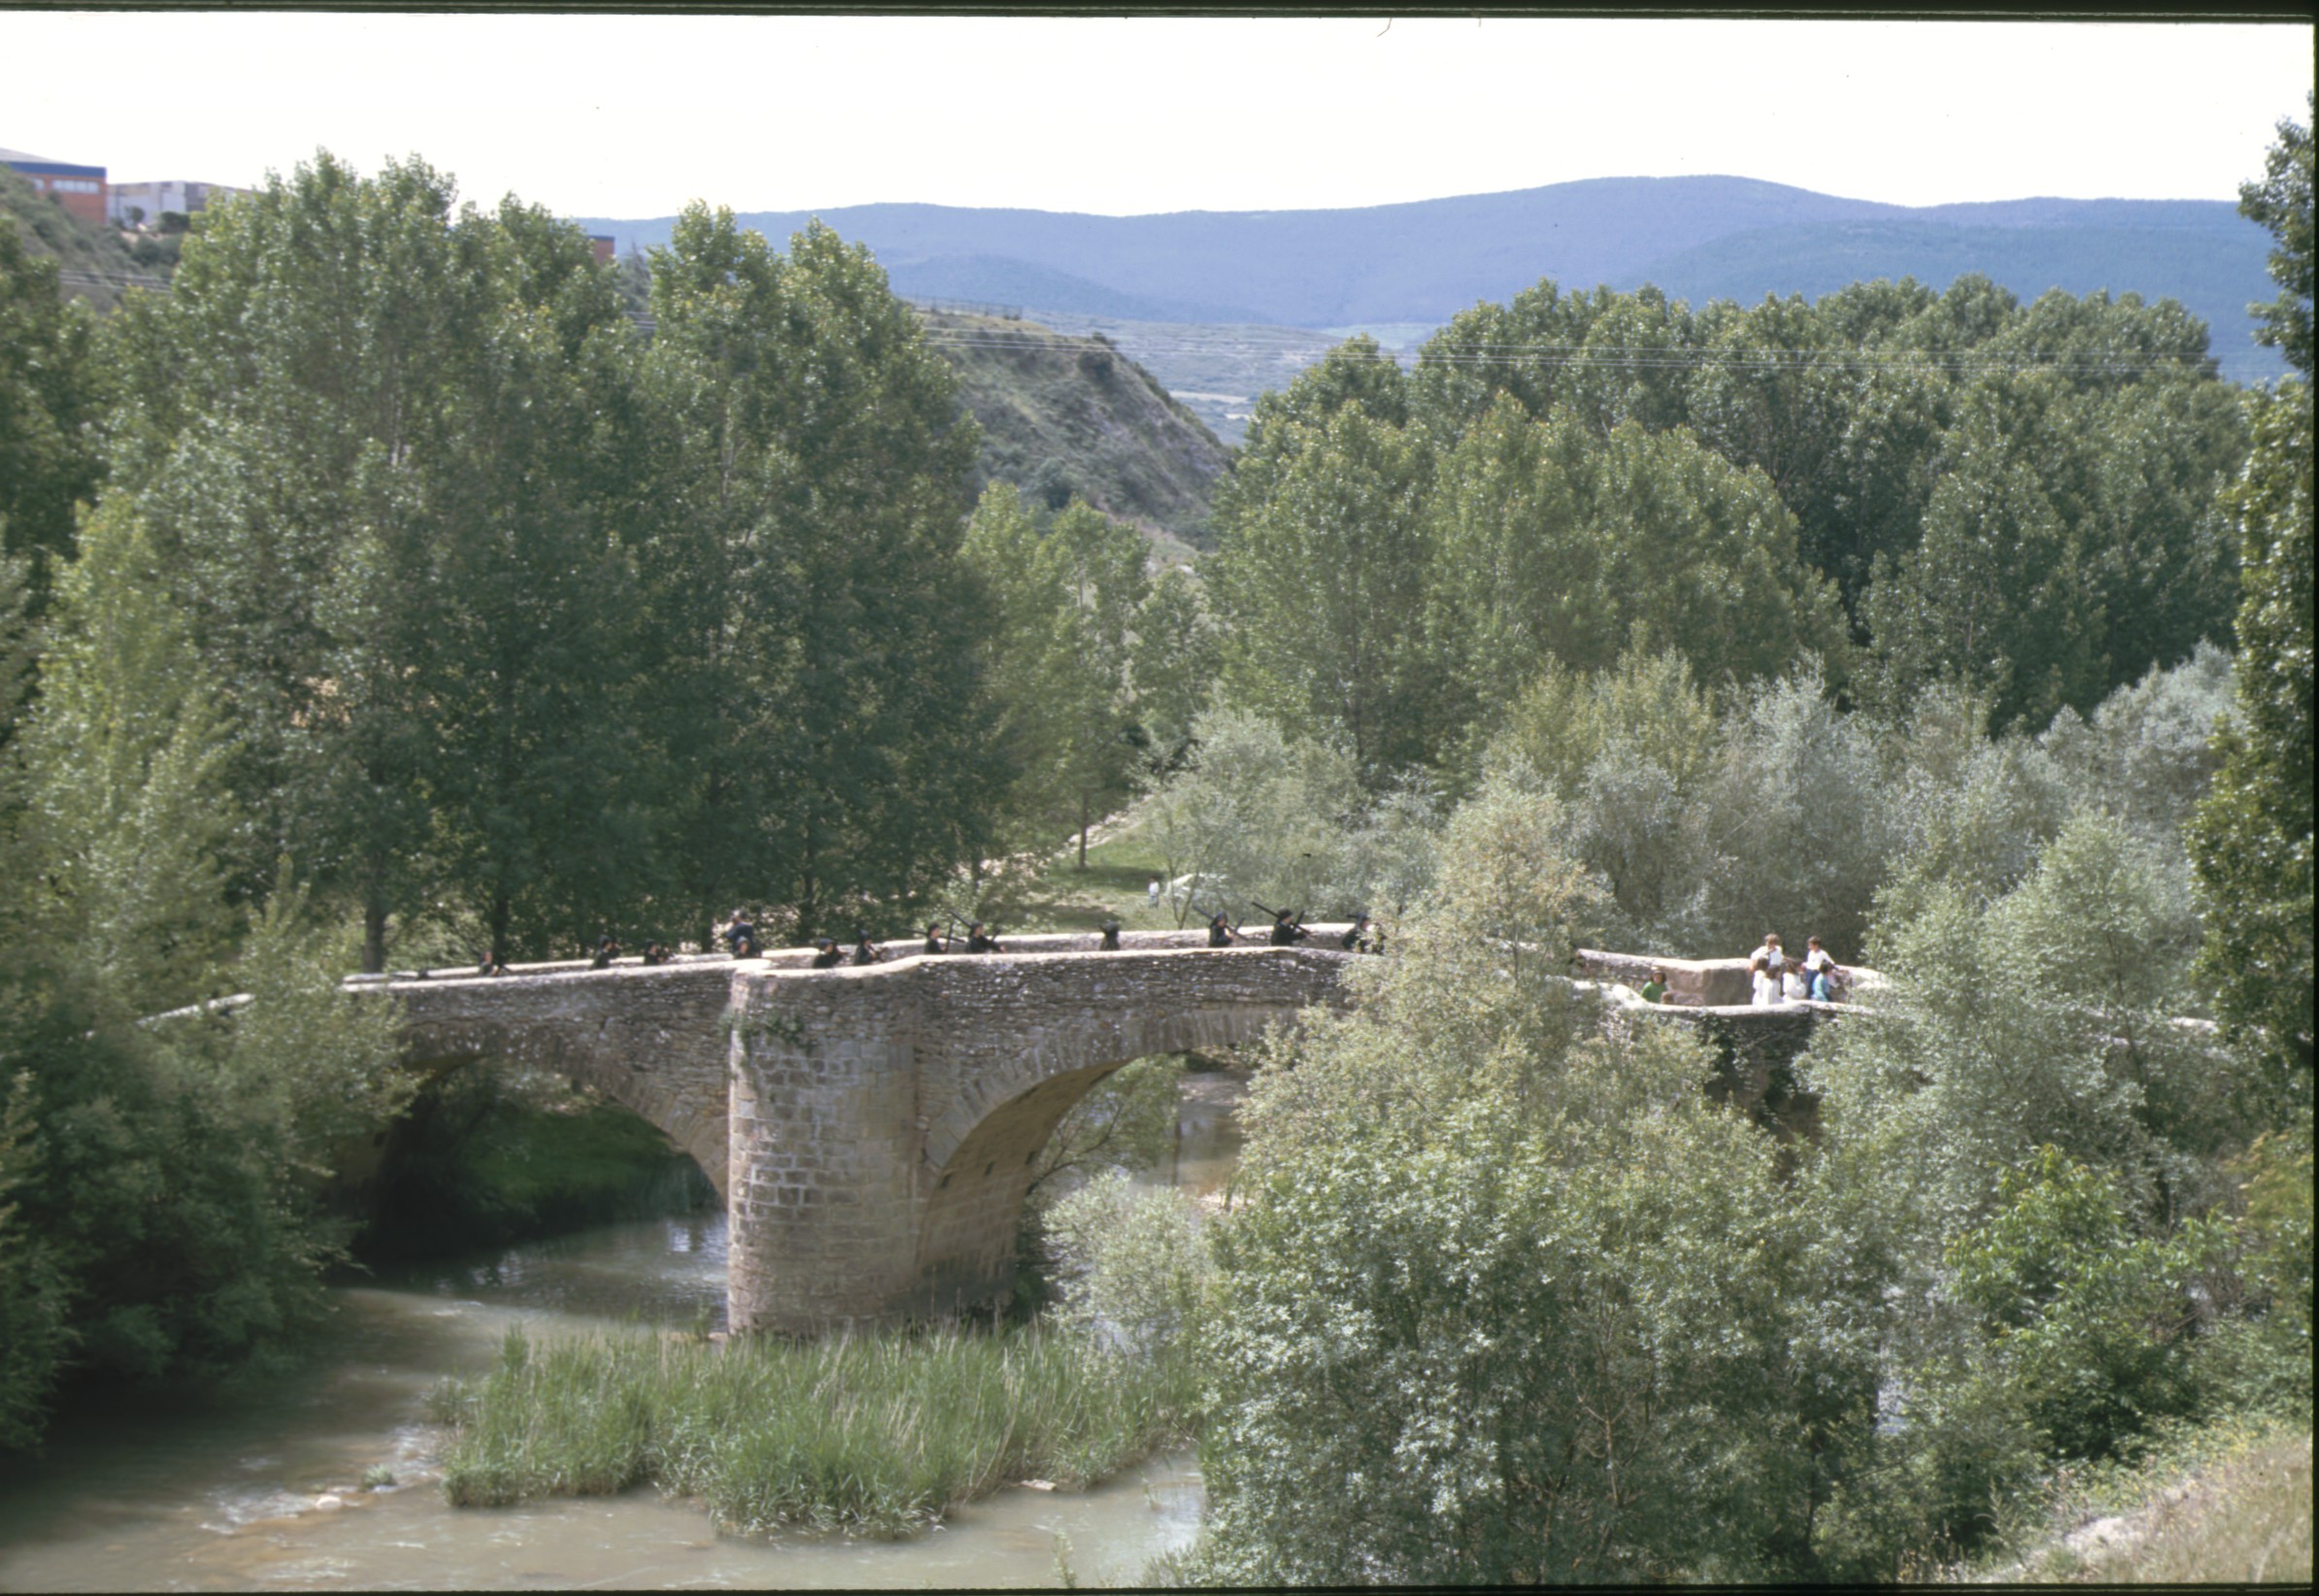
1696, 238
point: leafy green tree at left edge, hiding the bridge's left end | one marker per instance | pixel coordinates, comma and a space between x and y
163, 1170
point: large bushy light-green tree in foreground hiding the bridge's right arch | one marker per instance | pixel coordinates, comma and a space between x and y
1511, 1303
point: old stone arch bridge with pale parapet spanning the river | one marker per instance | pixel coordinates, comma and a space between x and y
873, 1129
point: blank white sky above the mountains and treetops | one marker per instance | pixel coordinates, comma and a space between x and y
632, 117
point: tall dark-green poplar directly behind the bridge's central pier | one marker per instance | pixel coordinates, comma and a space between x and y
820, 688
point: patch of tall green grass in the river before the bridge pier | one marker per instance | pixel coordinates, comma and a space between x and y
868, 1435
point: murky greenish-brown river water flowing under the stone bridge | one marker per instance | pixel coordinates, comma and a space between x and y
261, 1488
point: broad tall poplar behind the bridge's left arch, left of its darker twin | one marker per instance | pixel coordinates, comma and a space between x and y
379, 442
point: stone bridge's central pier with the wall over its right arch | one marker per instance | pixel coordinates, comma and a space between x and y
887, 1119
